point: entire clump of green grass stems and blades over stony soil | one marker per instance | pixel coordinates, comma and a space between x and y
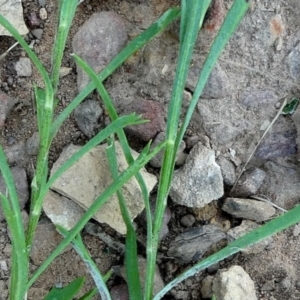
191, 15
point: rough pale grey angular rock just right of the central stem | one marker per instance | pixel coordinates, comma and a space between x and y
199, 181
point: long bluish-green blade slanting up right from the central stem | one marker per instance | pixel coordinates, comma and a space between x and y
232, 20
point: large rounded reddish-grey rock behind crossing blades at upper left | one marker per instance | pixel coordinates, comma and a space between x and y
97, 41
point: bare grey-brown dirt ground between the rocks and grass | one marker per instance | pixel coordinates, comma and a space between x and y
253, 61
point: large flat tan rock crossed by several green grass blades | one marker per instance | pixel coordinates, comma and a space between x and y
90, 176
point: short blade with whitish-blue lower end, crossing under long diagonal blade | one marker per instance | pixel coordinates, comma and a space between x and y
81, 250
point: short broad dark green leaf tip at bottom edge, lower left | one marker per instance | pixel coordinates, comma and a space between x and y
66, 293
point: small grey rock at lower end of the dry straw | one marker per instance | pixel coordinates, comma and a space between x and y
249, 183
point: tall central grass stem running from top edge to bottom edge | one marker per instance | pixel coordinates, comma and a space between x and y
194, 14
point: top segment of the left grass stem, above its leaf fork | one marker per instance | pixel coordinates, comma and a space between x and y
66, 14
